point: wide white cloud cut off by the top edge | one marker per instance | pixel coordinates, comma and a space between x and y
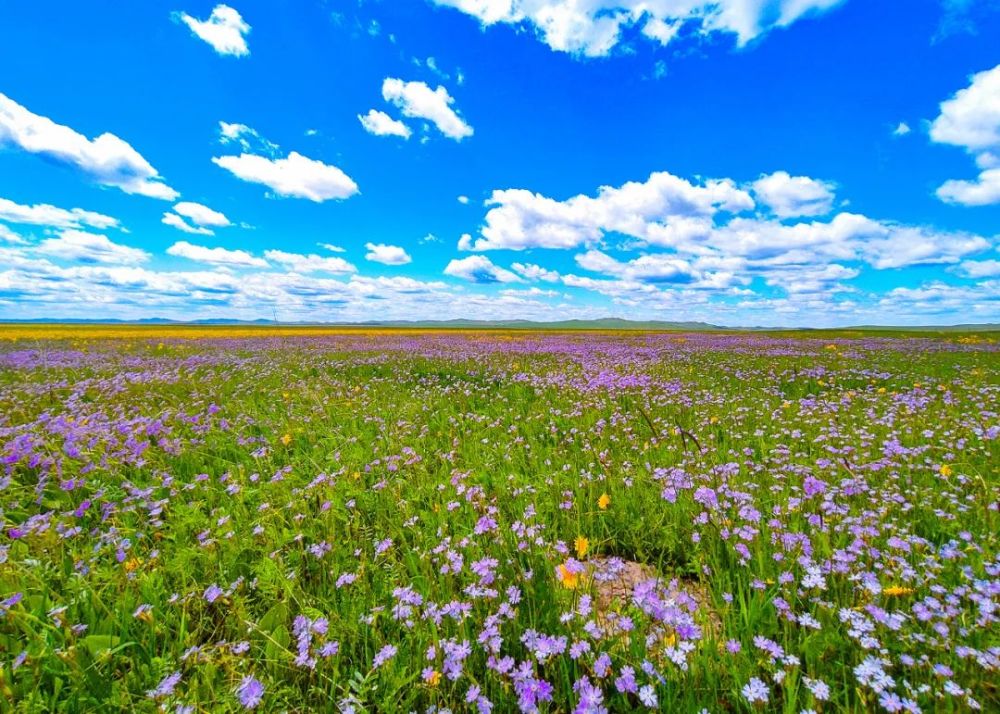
593, 28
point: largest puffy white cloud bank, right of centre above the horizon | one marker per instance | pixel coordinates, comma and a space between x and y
706, 220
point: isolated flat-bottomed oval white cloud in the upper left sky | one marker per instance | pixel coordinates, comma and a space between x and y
297, 176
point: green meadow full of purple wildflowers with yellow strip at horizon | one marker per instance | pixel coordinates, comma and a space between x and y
215, 520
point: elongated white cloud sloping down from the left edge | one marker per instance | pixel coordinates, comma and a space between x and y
108, 160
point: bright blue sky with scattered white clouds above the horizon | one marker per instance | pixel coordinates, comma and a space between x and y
791, 162
